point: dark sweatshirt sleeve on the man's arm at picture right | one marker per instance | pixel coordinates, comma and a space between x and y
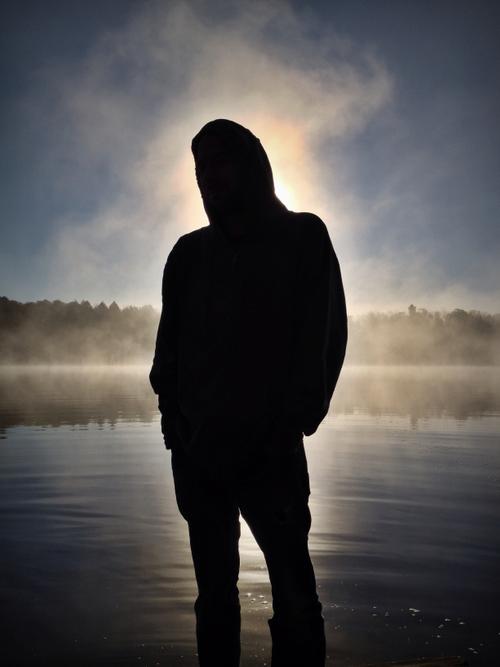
321, 331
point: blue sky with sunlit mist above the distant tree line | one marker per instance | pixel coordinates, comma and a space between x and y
381, 117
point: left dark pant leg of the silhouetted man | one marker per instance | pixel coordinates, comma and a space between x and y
214, 531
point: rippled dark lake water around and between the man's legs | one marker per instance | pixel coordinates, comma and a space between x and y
405, 537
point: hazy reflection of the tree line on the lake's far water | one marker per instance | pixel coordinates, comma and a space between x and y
51, 396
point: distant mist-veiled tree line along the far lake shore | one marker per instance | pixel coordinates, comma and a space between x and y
79, 333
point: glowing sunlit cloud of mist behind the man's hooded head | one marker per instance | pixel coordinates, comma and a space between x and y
130, 109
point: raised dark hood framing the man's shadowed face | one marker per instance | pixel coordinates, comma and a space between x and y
262, 206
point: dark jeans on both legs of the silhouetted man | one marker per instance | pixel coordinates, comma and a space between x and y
273, 500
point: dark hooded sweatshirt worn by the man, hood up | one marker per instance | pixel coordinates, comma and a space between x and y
253, 331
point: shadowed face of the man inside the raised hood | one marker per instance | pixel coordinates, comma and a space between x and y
219, 173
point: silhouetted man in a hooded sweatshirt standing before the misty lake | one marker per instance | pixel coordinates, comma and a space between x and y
250, 344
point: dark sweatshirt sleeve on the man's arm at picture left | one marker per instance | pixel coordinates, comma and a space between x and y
163, 374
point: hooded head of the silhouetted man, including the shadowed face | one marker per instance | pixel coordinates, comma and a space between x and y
232, 170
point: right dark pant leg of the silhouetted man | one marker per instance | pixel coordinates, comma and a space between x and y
275, 506
